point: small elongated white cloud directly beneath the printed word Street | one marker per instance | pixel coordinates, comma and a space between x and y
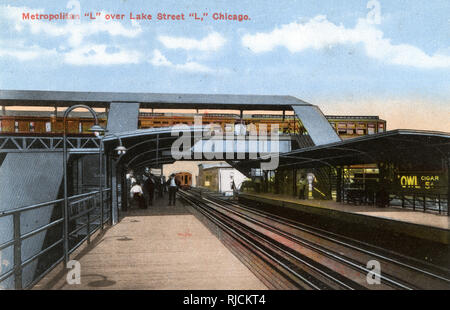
212, 42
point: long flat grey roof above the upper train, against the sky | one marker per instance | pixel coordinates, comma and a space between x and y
149, 100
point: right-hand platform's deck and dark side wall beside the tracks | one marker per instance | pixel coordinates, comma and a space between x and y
384, 224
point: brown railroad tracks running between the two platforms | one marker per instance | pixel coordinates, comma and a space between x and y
303, 257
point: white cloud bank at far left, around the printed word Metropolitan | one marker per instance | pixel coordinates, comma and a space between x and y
73, 52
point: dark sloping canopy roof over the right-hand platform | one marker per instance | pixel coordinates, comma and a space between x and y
421, 148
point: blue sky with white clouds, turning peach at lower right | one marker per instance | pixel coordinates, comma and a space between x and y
369, 57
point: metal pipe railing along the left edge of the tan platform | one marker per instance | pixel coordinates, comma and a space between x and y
84, 220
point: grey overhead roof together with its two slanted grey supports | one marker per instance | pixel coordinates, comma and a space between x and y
124, 107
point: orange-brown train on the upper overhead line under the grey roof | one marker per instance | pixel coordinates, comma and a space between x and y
43, 123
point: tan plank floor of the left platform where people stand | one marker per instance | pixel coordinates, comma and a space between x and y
163, 248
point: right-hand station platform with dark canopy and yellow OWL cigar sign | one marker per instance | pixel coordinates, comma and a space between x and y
426, 152
